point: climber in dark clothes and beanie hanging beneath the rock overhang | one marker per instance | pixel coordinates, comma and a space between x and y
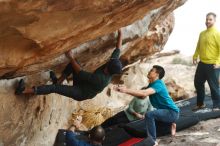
85, 84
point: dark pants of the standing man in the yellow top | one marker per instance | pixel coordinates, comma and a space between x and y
207, 72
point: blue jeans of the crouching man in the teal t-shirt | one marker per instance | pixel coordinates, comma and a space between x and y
164, 115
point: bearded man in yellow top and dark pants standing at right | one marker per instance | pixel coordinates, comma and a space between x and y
208, 52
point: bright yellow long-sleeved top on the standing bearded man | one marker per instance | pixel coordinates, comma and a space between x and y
208, 46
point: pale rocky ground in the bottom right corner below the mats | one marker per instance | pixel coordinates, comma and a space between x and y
206, 133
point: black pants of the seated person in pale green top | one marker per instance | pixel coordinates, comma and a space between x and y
119, 118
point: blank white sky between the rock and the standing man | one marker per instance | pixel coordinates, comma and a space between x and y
189, 22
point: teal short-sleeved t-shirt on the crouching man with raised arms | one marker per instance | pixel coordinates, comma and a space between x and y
161, 99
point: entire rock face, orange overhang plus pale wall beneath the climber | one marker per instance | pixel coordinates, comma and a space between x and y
35, 34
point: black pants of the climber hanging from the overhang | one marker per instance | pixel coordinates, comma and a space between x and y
73, 92
